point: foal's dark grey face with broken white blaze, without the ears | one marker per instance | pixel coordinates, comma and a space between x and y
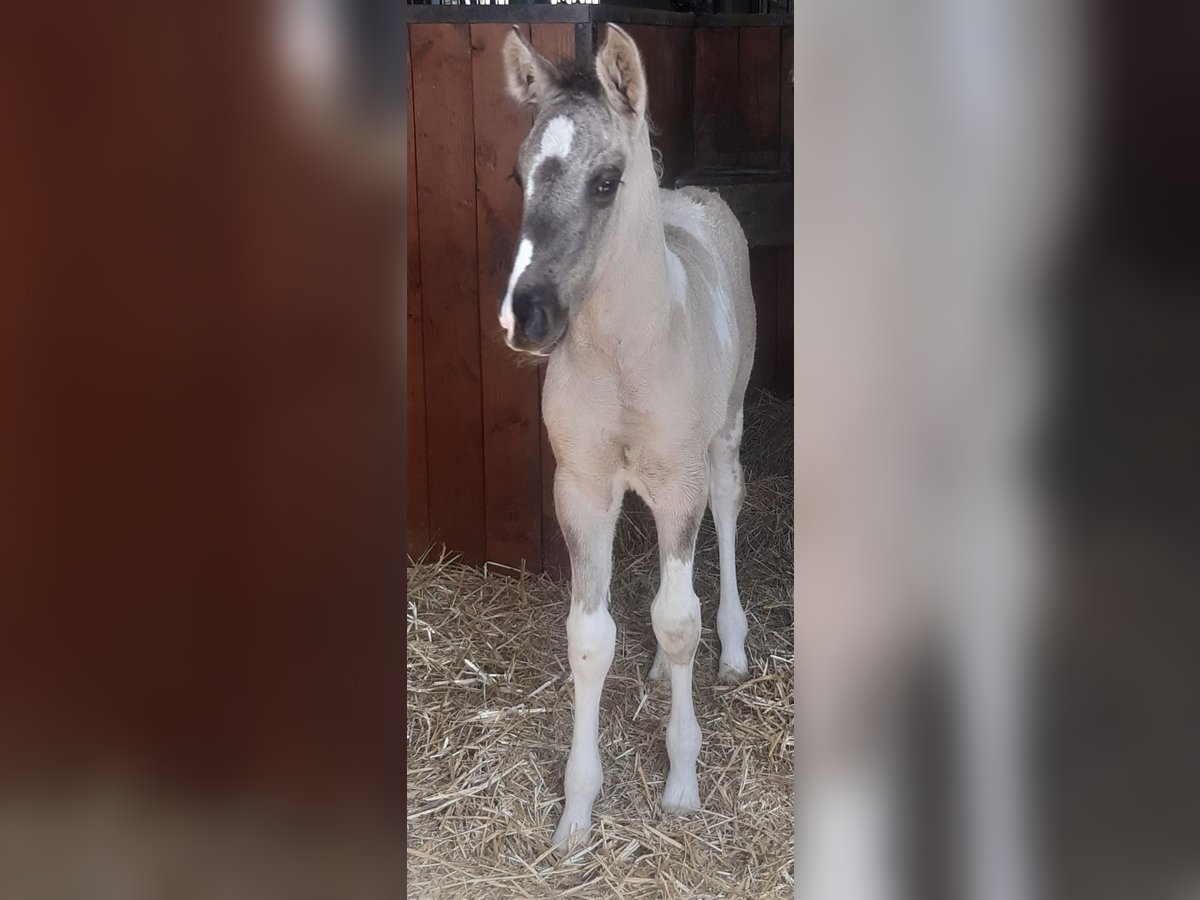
569, 169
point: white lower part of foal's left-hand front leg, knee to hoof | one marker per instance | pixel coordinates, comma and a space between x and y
591, 640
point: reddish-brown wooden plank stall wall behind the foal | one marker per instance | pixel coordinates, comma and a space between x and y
481, 466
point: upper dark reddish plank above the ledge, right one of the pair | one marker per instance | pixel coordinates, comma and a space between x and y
759, 104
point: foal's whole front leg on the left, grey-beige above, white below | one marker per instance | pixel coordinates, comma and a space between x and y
589, 520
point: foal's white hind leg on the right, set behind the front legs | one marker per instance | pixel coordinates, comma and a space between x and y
727, 493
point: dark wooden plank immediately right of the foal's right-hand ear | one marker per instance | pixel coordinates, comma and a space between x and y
668, 57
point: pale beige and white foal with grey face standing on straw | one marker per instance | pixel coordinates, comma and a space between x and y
641, 301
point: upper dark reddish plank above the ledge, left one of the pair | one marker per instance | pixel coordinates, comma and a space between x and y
716, 98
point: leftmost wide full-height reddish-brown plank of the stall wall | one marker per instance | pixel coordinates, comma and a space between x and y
446, 189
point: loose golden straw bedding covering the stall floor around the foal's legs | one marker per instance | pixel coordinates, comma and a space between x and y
490, 719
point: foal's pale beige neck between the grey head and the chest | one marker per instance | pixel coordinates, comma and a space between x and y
629, 305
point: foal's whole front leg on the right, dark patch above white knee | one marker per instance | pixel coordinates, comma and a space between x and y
676, 619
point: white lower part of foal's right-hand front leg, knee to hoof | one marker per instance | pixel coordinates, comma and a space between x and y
676, 617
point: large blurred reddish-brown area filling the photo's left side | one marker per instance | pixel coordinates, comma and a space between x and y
202, 404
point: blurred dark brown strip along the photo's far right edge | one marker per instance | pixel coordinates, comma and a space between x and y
1121, 695
